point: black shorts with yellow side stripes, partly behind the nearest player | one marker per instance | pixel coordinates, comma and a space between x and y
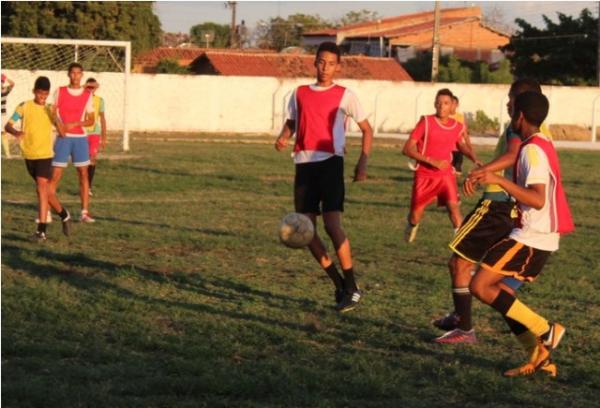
487, 224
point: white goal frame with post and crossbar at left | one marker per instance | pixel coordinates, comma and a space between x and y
76, 43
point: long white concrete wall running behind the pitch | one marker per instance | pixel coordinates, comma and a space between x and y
256, 104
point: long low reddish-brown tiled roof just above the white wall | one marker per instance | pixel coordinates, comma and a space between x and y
224, 62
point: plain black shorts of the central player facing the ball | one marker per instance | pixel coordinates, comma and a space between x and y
320, 182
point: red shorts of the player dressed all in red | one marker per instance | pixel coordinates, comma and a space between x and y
428, 188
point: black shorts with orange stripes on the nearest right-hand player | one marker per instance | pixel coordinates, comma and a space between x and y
511, 258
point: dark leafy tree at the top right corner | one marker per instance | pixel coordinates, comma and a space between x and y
562, 53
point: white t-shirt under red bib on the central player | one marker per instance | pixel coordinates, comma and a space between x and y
349, 108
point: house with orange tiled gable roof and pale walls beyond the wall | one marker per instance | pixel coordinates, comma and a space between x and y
462, 33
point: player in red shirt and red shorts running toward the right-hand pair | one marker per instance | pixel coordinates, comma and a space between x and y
431, 143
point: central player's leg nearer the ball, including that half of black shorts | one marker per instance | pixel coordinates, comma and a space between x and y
306, 201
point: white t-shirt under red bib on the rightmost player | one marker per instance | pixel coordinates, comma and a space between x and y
535, 230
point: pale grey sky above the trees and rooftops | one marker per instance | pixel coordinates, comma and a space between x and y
180, 16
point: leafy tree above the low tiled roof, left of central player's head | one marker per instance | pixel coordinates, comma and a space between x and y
279, 33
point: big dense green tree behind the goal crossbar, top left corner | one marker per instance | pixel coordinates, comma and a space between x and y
124, 21
